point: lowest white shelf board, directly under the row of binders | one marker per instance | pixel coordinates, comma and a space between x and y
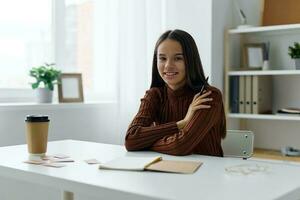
264, 116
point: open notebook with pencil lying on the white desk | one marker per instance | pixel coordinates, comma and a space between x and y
152, 164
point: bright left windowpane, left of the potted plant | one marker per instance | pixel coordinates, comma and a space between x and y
25, 40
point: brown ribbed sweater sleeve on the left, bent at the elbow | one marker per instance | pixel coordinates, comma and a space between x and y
141, 133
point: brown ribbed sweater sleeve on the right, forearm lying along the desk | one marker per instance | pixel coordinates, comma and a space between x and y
184, 141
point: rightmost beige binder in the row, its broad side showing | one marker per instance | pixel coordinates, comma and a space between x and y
262, 94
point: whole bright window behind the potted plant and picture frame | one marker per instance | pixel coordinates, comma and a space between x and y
46, 31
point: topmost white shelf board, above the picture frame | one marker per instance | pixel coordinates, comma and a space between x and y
257, 29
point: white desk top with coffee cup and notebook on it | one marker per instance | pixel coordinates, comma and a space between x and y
211, 181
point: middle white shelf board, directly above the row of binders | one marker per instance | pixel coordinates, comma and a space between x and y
267, 72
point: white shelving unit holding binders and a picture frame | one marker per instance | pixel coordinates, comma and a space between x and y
282, 67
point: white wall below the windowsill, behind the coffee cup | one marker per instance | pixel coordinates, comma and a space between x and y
92, 122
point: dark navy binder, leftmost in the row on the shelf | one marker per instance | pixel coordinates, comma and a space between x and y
234, 94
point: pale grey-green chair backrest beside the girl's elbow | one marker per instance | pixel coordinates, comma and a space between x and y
238, 143
